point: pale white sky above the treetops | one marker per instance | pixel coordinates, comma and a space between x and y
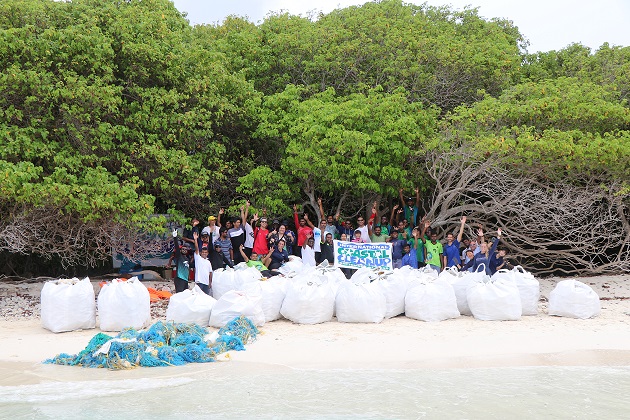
546, 24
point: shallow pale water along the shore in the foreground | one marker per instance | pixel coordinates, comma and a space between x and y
241, 390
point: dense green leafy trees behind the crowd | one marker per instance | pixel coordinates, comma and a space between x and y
114, 110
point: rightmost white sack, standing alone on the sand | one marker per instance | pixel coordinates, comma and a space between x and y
574, 299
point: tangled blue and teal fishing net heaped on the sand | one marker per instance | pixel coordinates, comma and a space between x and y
163, 344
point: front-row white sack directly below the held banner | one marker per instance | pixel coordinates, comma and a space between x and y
360, 303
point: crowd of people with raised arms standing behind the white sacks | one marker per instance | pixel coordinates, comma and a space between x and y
225, 242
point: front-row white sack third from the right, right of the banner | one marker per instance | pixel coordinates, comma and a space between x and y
431, 301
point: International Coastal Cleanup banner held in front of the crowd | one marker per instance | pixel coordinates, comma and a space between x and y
356, 255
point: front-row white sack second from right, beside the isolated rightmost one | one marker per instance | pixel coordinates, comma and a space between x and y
495, 301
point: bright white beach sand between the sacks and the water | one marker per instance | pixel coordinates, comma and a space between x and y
395, 343
